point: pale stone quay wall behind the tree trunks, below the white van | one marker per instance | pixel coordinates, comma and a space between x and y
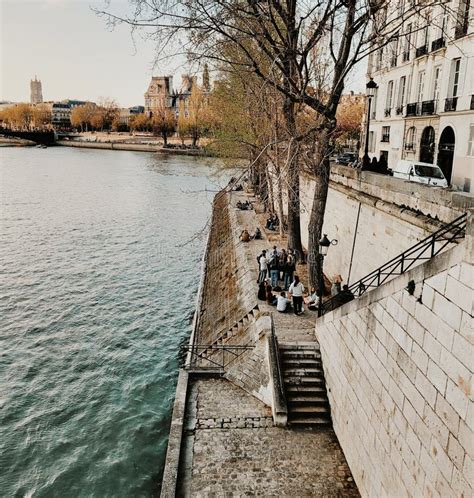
374, 217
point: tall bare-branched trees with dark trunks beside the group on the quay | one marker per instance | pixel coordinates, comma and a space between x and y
302, 50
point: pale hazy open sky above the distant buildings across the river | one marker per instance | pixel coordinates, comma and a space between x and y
75, 55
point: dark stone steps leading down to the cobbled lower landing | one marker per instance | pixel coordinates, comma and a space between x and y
305, 388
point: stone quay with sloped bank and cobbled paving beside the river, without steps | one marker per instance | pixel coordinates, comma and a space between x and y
225, 438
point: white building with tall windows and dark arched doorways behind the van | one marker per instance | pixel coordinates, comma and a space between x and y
423, 108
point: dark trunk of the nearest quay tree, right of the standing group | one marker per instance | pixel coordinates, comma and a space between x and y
321, 171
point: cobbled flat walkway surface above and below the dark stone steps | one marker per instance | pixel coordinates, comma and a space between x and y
230, 446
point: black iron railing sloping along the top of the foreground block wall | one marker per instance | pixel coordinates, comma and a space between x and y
422, 251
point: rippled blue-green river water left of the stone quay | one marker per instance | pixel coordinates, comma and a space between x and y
96, 295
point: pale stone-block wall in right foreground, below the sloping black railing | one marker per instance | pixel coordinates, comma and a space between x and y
399, 371
